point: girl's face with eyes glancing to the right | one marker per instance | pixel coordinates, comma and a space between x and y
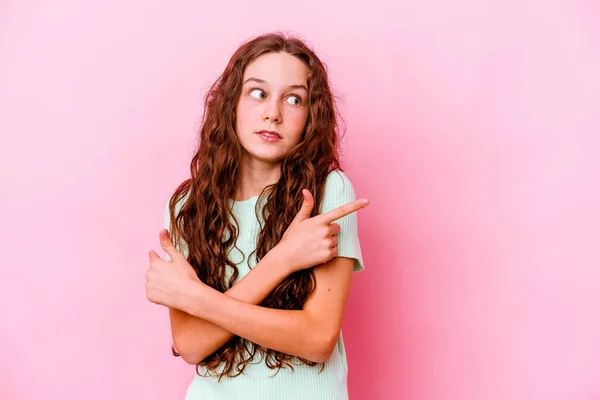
273, 107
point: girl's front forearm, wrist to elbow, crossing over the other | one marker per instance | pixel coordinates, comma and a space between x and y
293, 332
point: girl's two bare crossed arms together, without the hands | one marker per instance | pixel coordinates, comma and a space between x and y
211, 318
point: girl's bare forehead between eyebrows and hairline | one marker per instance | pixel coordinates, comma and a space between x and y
278, 68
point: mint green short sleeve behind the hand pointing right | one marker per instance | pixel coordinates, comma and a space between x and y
339, 191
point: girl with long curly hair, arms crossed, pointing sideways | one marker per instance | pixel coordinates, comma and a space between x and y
257, 283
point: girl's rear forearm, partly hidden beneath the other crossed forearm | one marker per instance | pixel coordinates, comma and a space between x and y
196, 338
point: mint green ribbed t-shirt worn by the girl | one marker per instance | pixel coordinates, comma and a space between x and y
304, 382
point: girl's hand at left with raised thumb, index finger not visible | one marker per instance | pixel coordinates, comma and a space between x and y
168, 282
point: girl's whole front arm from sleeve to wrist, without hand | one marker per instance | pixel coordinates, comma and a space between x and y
310, 333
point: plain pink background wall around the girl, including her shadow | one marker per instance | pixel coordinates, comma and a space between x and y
472, 127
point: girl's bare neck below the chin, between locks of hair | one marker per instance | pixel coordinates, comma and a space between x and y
254, 176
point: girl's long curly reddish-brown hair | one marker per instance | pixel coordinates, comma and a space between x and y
203, 222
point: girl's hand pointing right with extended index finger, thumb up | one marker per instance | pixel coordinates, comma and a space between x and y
311, 241
